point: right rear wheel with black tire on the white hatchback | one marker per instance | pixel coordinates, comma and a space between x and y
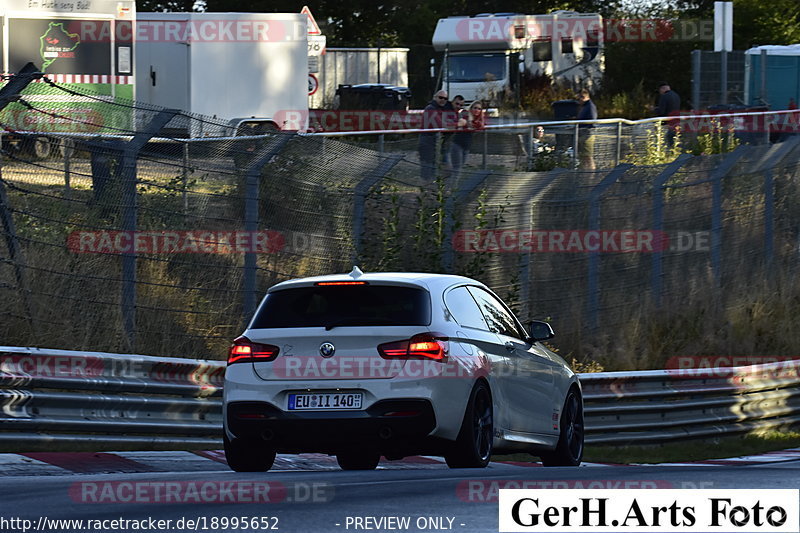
473, 447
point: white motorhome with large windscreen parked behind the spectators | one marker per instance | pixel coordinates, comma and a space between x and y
485, 56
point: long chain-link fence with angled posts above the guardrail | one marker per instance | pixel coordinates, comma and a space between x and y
127, 236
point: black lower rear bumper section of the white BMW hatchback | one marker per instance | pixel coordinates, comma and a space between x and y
396, 426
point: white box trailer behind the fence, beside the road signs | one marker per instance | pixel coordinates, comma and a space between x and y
248, 68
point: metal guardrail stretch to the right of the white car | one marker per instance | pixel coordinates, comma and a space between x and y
658, 406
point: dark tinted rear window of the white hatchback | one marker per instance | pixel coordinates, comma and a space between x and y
333, 306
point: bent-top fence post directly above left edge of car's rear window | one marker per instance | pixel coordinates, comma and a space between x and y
252, 172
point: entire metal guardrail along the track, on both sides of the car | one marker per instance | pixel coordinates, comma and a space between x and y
109, 400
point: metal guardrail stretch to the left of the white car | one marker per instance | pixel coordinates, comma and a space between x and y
108, 400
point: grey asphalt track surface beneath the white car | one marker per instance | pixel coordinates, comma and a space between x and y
426, 497
